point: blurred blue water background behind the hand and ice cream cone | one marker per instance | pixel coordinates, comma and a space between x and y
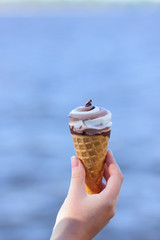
54, 57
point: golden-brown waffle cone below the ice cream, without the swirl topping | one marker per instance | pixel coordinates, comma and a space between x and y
92, 150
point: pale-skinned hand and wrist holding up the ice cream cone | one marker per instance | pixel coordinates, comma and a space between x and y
82, 215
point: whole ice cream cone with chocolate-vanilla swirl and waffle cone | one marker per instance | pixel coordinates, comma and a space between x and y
90, 128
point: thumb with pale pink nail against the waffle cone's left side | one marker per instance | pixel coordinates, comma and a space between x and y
77, 185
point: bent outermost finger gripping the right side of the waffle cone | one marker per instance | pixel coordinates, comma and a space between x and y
115, 180
